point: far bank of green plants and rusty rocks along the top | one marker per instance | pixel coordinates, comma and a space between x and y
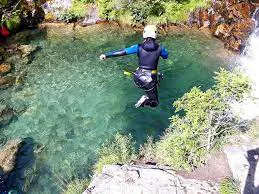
230, 21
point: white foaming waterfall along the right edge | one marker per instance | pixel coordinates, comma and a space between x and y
249, 63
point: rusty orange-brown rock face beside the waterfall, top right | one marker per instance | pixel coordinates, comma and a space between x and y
229, 20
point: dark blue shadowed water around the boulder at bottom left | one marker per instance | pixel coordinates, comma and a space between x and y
18, 180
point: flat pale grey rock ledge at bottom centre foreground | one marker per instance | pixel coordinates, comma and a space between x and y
145, 179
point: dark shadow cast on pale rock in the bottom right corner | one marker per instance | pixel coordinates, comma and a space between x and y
252, 157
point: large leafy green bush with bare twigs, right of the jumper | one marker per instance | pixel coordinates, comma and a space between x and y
207, 119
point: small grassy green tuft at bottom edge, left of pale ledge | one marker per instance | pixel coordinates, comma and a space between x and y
76, 187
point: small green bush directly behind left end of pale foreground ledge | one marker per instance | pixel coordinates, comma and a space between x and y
119, 151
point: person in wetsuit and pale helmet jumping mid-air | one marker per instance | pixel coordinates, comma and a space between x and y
146, 75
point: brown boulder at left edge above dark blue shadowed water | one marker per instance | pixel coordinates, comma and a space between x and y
8, 155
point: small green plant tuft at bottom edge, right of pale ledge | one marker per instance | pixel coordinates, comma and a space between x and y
229, 186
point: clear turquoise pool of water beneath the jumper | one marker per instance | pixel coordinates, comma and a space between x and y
74, 102
